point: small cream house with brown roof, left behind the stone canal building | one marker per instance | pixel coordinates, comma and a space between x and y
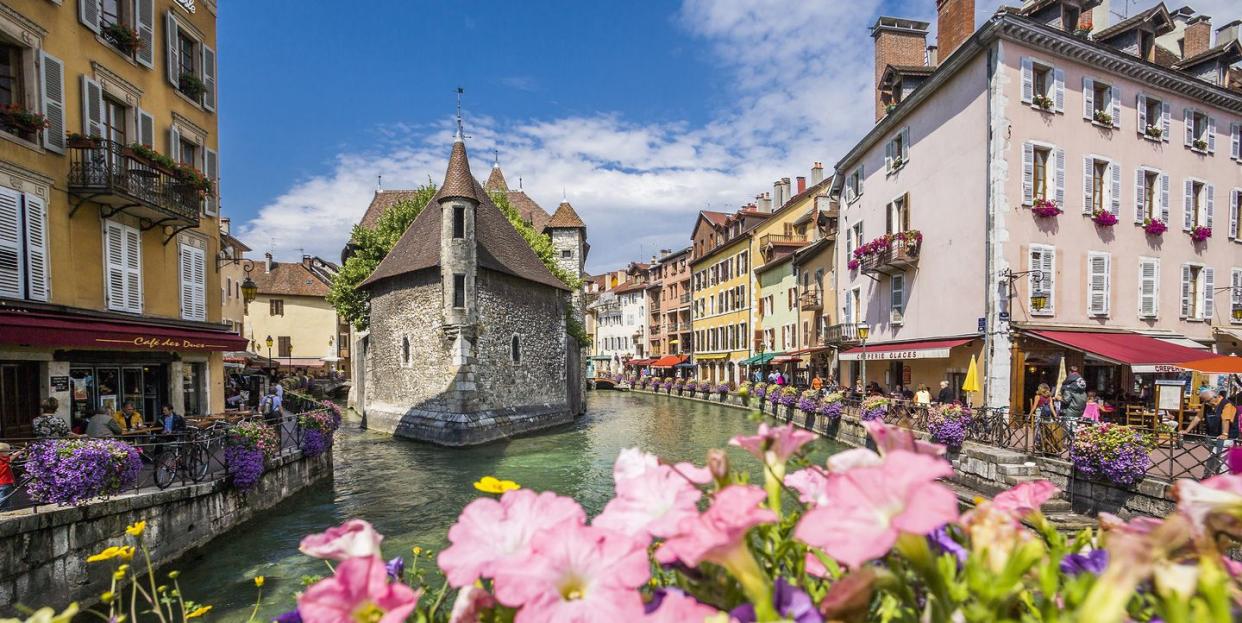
291, 308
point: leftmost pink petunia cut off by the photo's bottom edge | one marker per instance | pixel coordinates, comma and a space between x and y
358, 591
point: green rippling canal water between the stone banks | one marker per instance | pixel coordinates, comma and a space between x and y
413, 492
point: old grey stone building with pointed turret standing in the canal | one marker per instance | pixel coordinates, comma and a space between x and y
468, 341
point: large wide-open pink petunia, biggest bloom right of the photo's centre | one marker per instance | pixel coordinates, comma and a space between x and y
870, 507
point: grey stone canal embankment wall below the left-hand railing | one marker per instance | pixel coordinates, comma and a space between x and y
43, 555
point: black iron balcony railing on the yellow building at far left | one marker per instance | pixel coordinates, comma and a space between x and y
110, 174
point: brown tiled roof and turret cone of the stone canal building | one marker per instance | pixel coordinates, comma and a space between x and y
501, 248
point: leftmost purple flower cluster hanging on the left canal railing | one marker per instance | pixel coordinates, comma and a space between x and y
71, 472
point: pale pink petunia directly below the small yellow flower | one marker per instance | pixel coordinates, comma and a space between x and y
491, 534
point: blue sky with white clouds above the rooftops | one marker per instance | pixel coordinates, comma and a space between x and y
640, 114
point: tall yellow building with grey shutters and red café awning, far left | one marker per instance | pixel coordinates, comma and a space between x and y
109, 209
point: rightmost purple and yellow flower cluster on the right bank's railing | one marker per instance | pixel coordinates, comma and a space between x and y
1115, 452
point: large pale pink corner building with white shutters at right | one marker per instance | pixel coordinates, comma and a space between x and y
1137, 122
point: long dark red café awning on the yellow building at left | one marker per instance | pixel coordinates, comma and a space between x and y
58, 331
